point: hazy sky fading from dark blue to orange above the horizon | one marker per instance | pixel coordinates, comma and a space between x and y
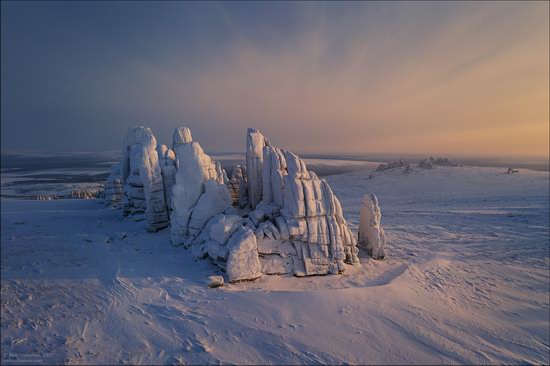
456, 78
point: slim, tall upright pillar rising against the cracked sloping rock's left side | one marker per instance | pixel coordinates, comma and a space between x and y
255, 143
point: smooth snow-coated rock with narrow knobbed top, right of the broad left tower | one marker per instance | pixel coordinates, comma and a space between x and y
199, 192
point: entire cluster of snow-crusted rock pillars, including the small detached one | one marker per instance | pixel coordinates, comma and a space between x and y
272, 216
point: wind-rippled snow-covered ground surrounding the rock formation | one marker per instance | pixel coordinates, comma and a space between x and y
465, 280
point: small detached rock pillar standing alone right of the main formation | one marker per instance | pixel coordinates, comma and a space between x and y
371, 235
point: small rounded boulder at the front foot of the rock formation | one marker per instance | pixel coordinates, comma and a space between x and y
243, 263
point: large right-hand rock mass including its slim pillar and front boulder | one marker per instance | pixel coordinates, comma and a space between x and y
293, 225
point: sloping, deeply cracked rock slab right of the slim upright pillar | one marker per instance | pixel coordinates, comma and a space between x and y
310, 215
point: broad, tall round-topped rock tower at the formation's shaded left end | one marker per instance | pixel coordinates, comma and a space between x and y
143, 188
